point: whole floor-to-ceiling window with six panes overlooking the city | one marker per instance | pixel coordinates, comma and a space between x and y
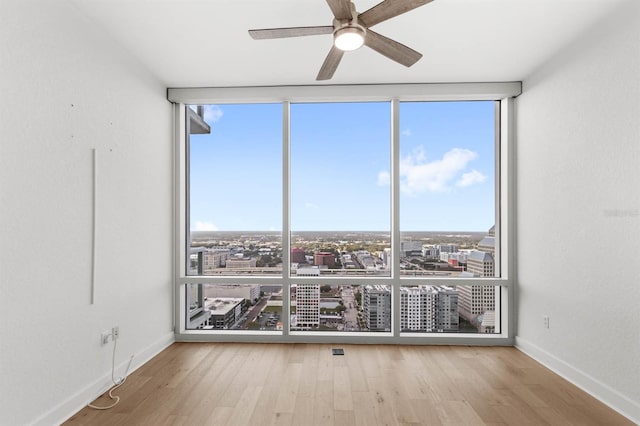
324, 216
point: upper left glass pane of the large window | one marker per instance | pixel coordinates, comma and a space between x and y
235, 189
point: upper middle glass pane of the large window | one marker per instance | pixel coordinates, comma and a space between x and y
340, 200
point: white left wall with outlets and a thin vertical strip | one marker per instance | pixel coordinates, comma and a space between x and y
66, 89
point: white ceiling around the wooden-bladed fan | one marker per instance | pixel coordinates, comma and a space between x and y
194, 43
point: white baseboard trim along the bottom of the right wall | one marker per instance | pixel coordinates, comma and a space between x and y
594, 387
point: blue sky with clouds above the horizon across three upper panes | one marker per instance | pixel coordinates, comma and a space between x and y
340, 167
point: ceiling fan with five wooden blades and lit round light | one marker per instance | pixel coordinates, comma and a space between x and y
351, 30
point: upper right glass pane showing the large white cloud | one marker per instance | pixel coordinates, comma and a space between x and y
447, 189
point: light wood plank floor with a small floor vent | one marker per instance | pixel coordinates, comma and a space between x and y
304, 384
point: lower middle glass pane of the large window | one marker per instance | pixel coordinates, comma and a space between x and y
336, 308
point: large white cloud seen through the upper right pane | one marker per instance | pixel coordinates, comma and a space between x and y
418, 175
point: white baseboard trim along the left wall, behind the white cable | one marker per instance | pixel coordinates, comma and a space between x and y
80, 399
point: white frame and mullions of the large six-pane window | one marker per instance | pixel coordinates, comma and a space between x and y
502, 93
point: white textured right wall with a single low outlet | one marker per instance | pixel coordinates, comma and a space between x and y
578, 178
